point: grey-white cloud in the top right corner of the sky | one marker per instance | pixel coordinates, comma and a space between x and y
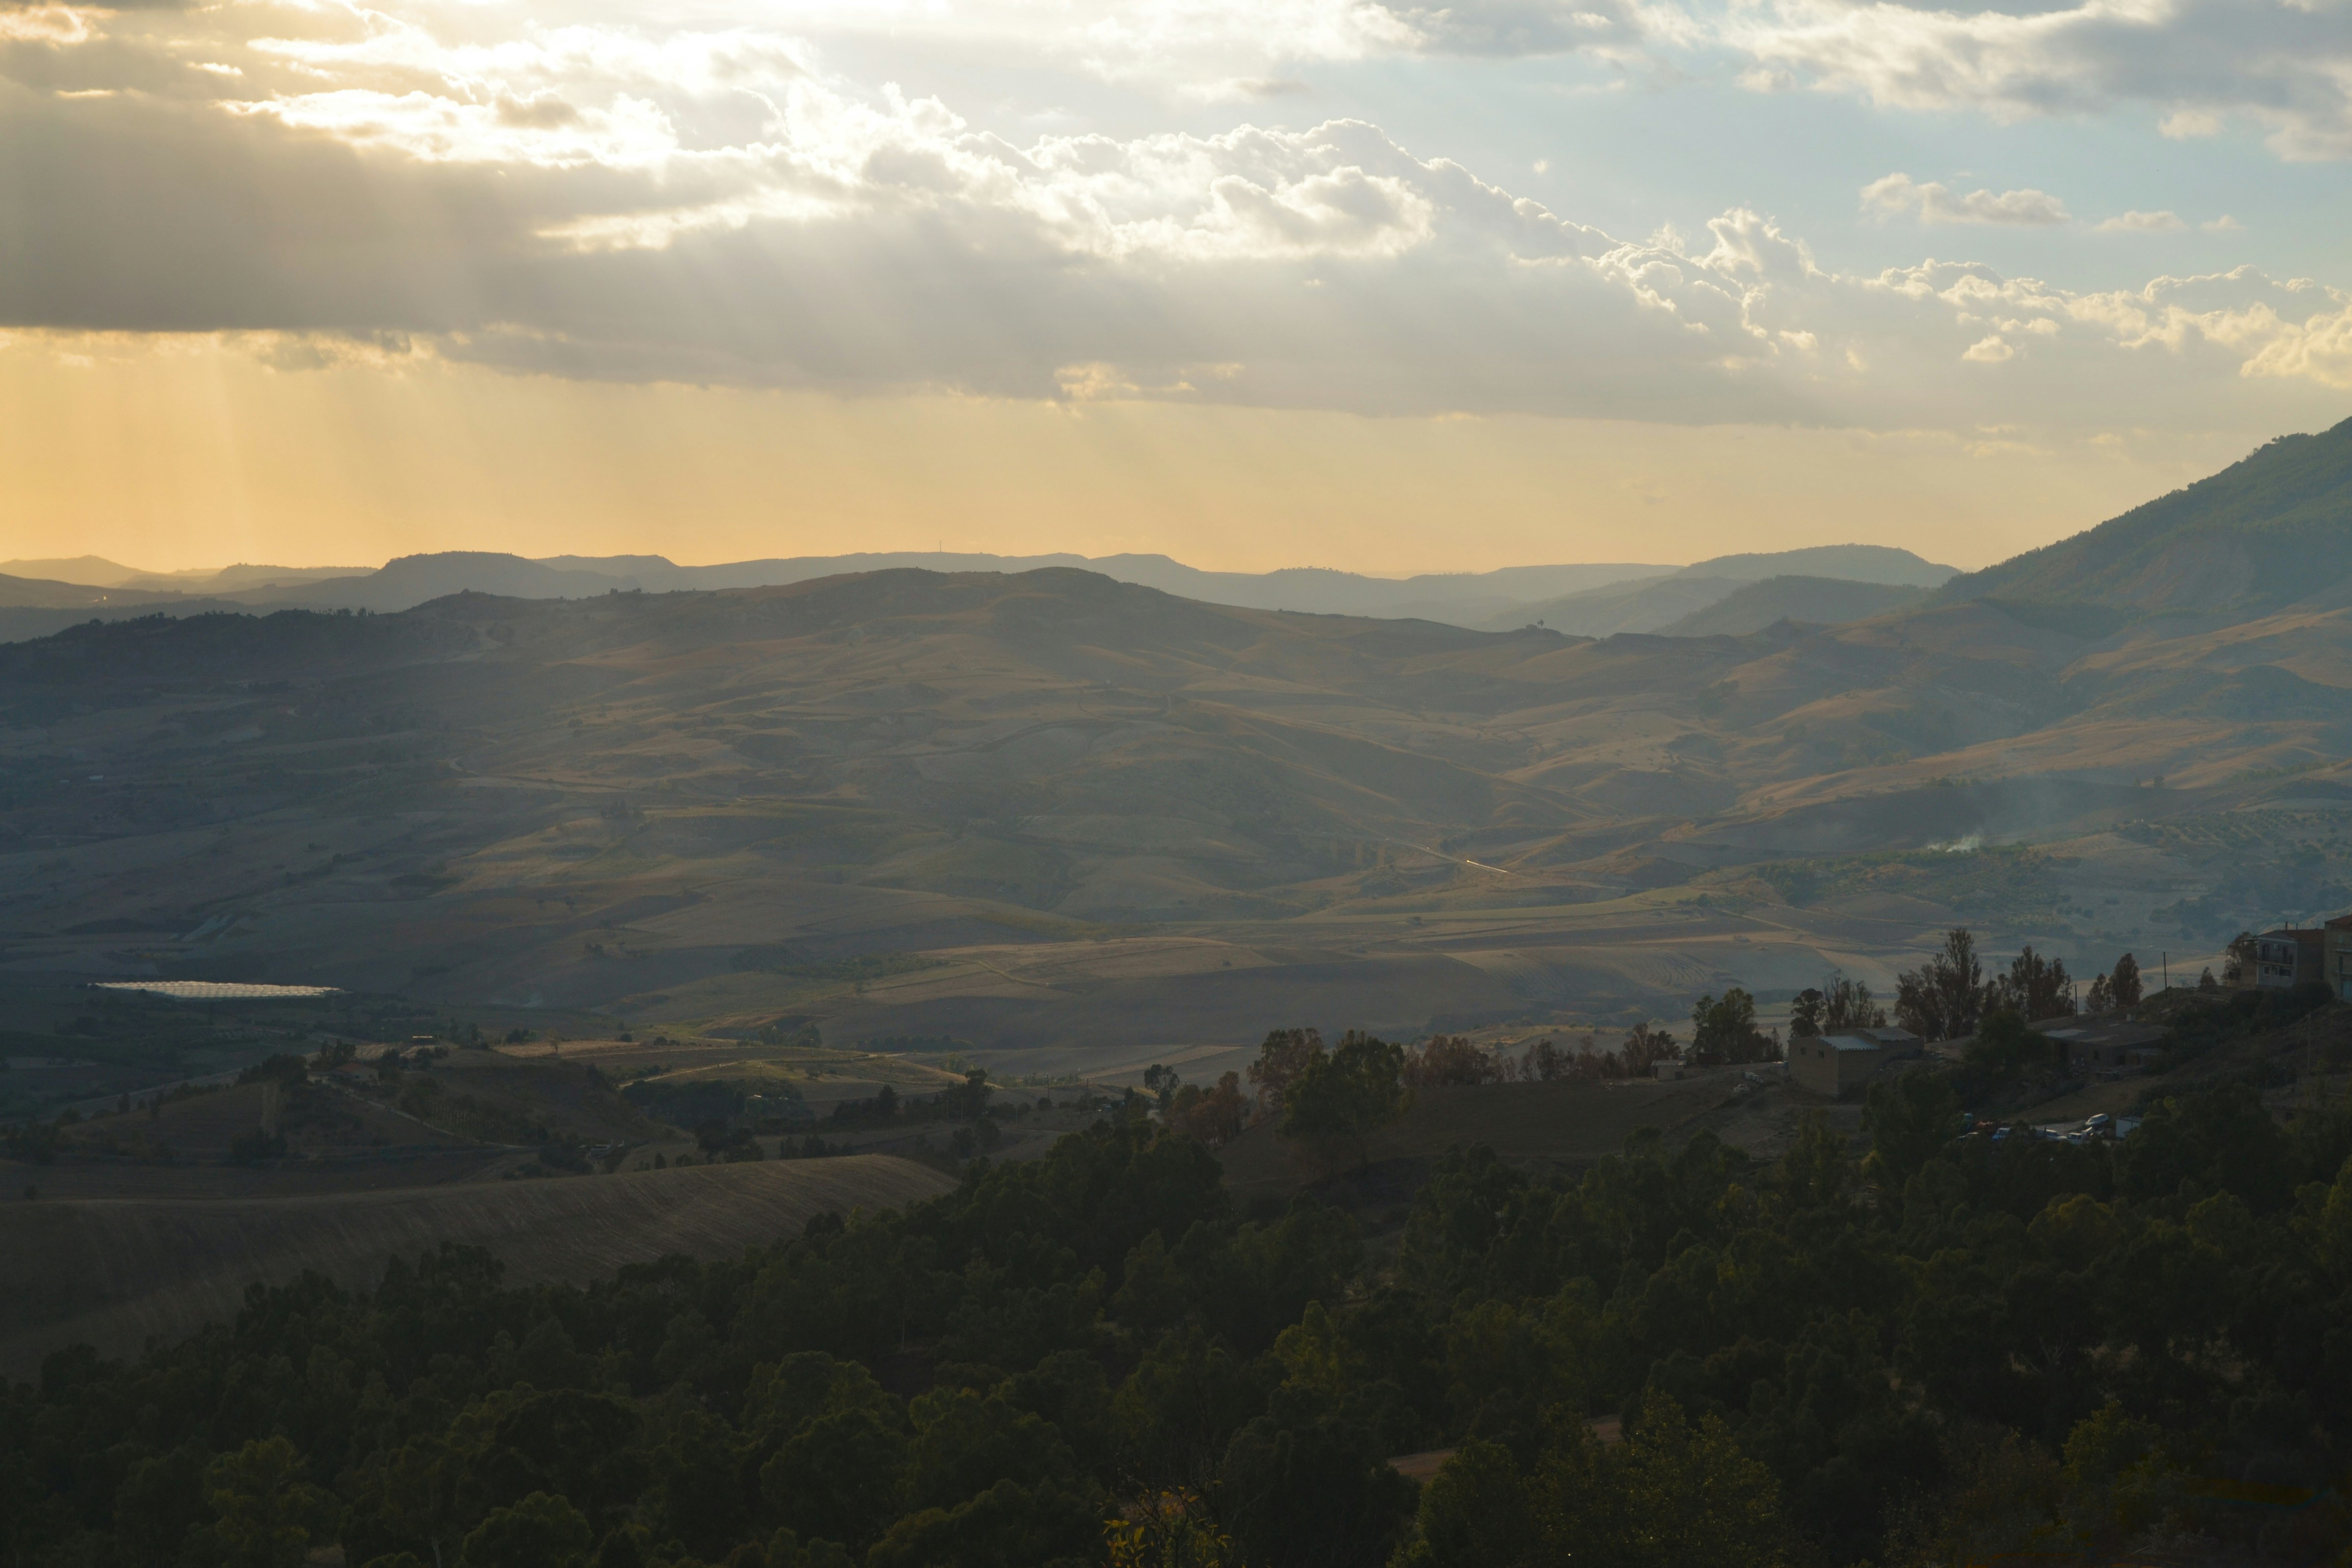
2198, 62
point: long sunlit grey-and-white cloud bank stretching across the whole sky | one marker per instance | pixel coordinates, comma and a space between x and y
716, 206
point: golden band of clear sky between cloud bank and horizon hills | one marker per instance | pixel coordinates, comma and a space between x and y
189, 453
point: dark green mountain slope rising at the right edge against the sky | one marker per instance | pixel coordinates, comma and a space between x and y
2259, 535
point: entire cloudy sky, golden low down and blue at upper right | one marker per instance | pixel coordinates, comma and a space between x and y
1347, 283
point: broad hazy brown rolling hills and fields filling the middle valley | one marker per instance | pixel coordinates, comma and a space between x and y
1053, 815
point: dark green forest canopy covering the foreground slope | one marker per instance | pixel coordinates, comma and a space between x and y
1927, 1355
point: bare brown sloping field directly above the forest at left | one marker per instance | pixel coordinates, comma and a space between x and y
116, 1273
